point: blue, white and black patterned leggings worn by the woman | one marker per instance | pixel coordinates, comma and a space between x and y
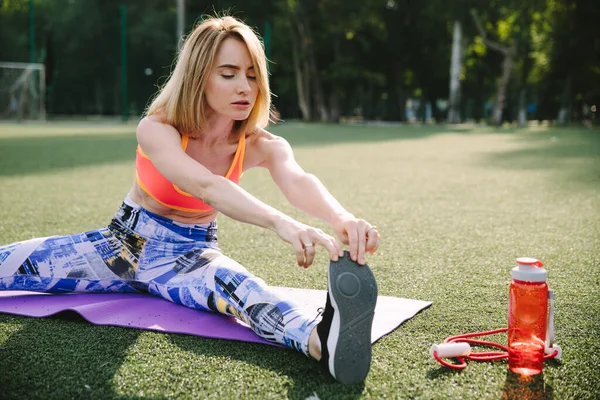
143, 252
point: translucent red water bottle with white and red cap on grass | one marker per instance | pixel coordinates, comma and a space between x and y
527, 317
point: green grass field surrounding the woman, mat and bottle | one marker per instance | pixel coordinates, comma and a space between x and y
455, 207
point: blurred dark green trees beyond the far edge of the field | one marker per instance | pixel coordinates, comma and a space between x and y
420, 61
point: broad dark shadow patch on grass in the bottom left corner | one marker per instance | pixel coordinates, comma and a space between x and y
63, 357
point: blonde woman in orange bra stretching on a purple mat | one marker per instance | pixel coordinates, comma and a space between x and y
201, 132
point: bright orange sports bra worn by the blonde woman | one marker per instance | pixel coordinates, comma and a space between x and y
166, 193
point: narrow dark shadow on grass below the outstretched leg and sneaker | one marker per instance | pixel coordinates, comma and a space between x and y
309, 379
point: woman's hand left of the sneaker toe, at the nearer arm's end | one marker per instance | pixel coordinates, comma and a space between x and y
304, 238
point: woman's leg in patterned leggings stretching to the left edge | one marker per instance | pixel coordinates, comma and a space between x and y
102, 260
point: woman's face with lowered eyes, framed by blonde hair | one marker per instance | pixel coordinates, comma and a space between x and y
232, 89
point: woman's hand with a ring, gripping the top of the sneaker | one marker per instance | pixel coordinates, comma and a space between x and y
358, 234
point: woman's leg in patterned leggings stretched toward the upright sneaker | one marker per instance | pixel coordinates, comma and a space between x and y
206, 279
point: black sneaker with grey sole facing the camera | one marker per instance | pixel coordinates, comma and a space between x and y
345, 329
